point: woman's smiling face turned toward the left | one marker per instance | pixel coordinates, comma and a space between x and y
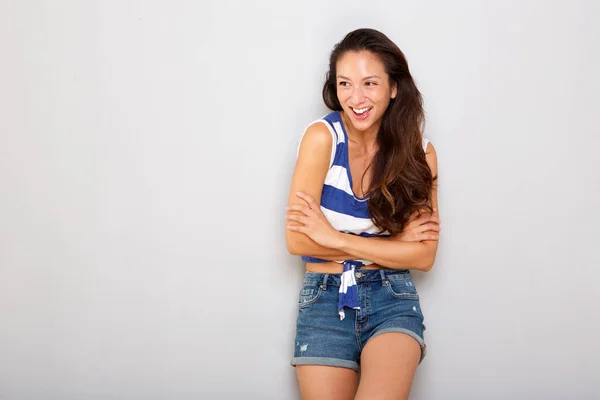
363, 88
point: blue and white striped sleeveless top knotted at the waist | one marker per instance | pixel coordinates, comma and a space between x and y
345, 211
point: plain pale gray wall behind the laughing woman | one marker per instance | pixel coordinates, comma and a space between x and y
146, 150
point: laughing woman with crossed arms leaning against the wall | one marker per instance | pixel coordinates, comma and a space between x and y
376, 178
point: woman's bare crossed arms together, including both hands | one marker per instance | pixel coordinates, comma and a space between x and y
309, 233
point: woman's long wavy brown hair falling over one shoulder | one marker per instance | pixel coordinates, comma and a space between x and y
402, 181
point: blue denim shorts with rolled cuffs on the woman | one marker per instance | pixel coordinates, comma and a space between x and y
388, 303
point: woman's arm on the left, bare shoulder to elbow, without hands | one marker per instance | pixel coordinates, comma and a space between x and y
309, 176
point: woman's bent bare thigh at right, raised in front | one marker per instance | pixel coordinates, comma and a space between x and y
388, 365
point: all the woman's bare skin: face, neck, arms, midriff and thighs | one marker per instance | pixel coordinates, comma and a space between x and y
388, 361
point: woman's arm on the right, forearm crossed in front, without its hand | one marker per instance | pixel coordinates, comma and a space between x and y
395, 253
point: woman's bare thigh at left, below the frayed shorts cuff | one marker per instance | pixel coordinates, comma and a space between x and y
319, 382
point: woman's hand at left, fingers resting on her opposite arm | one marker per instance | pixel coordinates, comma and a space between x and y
312, 222
